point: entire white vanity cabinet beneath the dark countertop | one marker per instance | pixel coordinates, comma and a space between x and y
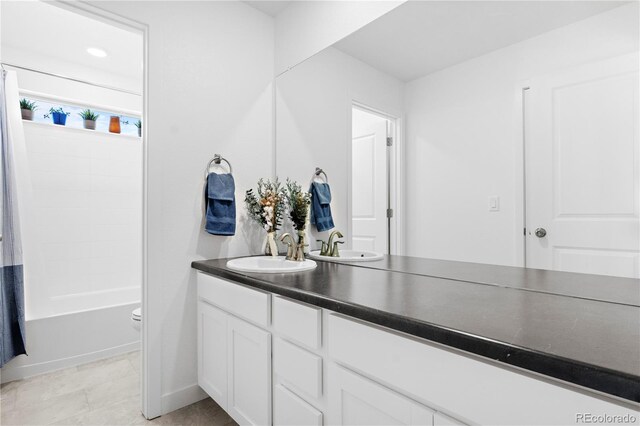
267, 359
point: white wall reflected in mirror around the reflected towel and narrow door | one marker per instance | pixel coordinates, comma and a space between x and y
313, 121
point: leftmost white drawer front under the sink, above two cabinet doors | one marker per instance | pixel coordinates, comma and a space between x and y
244, 302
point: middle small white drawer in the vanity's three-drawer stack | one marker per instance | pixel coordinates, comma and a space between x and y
298, 368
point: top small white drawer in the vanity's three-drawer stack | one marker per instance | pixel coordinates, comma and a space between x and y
298, 321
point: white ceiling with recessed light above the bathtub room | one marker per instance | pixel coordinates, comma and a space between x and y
56, 36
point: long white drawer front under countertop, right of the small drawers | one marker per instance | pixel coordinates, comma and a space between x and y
477, 391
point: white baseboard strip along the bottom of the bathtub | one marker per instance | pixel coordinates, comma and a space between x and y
9, 373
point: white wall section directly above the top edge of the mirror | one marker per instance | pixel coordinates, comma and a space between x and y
304, 28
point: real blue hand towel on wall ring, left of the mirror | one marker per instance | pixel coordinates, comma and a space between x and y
221, 204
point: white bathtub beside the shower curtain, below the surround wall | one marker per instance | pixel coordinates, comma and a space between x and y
70, 339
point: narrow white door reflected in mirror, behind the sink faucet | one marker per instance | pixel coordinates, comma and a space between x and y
369, 223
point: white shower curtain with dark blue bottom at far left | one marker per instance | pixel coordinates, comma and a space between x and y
12, 328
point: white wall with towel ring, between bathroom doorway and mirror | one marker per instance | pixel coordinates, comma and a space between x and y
210, 74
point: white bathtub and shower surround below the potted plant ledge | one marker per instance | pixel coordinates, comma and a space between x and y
89, 280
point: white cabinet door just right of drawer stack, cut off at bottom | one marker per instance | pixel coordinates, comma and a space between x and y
355, 400
